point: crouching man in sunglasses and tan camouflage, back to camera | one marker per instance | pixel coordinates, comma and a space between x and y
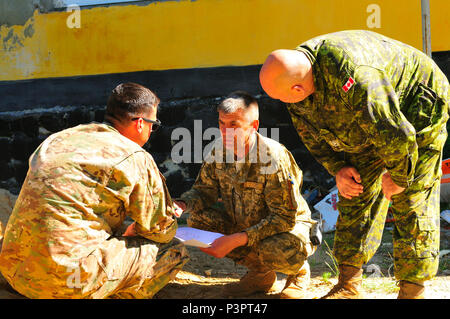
65, 239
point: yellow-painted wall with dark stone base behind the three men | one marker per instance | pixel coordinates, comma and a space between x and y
191, 53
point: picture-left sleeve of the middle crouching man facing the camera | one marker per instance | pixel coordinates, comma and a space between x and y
205, 191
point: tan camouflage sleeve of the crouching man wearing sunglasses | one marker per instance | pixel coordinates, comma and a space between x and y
145, 197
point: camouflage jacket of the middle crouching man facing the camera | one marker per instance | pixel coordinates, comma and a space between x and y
262, 198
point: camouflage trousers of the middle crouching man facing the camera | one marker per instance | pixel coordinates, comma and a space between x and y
284, 252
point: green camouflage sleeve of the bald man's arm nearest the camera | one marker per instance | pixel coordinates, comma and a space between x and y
378, 111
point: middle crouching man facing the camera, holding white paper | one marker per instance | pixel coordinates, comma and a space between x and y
262, 213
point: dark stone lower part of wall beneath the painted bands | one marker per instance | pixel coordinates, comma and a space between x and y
22, 132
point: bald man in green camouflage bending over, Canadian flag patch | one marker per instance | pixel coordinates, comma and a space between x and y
373, 112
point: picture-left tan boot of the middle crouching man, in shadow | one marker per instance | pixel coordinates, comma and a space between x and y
253, 282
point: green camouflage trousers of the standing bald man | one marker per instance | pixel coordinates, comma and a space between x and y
416, 214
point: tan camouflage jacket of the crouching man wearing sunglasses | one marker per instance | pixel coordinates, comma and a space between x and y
81, 184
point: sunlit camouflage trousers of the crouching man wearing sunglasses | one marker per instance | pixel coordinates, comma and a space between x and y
132, 268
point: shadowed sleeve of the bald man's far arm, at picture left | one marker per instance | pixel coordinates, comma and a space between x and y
321, 151
